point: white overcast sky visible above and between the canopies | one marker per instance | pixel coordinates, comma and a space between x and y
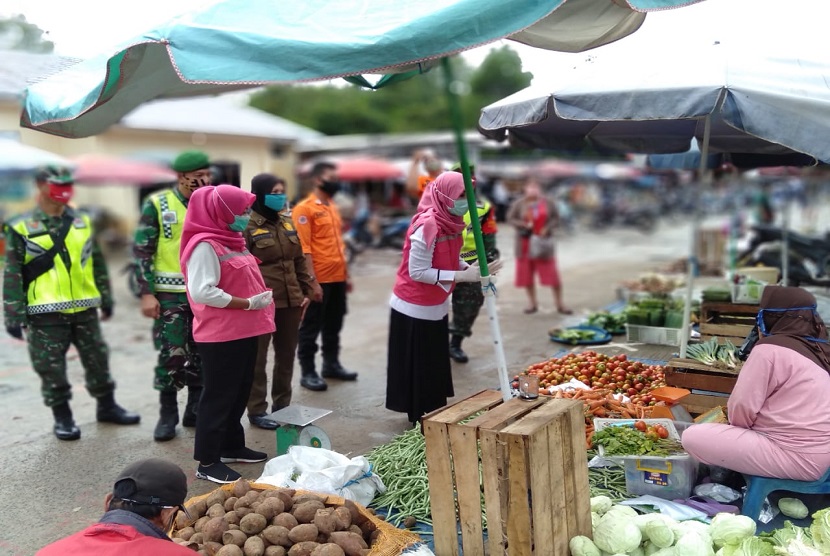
84, 28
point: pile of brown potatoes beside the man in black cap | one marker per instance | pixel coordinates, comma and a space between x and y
278, 522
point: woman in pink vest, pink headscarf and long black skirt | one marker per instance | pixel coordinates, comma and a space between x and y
419, 376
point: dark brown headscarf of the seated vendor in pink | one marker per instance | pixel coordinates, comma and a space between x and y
797, 329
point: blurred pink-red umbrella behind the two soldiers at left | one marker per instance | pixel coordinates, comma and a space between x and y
101, 169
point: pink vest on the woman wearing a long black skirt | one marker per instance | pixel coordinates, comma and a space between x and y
444, 257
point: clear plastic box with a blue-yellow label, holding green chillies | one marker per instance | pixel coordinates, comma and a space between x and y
662, 477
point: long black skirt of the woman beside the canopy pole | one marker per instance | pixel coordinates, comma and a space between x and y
418, 370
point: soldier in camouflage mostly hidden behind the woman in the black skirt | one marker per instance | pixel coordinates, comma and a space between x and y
467, 297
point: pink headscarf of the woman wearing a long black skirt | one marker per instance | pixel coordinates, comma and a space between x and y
433, 210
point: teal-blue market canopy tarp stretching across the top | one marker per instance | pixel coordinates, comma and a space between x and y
237, 44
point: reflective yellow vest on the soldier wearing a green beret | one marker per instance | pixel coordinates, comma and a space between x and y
166, 266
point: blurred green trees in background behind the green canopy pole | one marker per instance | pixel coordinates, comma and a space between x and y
417, 104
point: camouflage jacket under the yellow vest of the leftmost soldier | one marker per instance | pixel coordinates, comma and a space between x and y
14, 296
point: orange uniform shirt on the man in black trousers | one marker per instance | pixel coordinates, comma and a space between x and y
320, 231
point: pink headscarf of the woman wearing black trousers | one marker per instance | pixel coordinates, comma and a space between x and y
209, 211
